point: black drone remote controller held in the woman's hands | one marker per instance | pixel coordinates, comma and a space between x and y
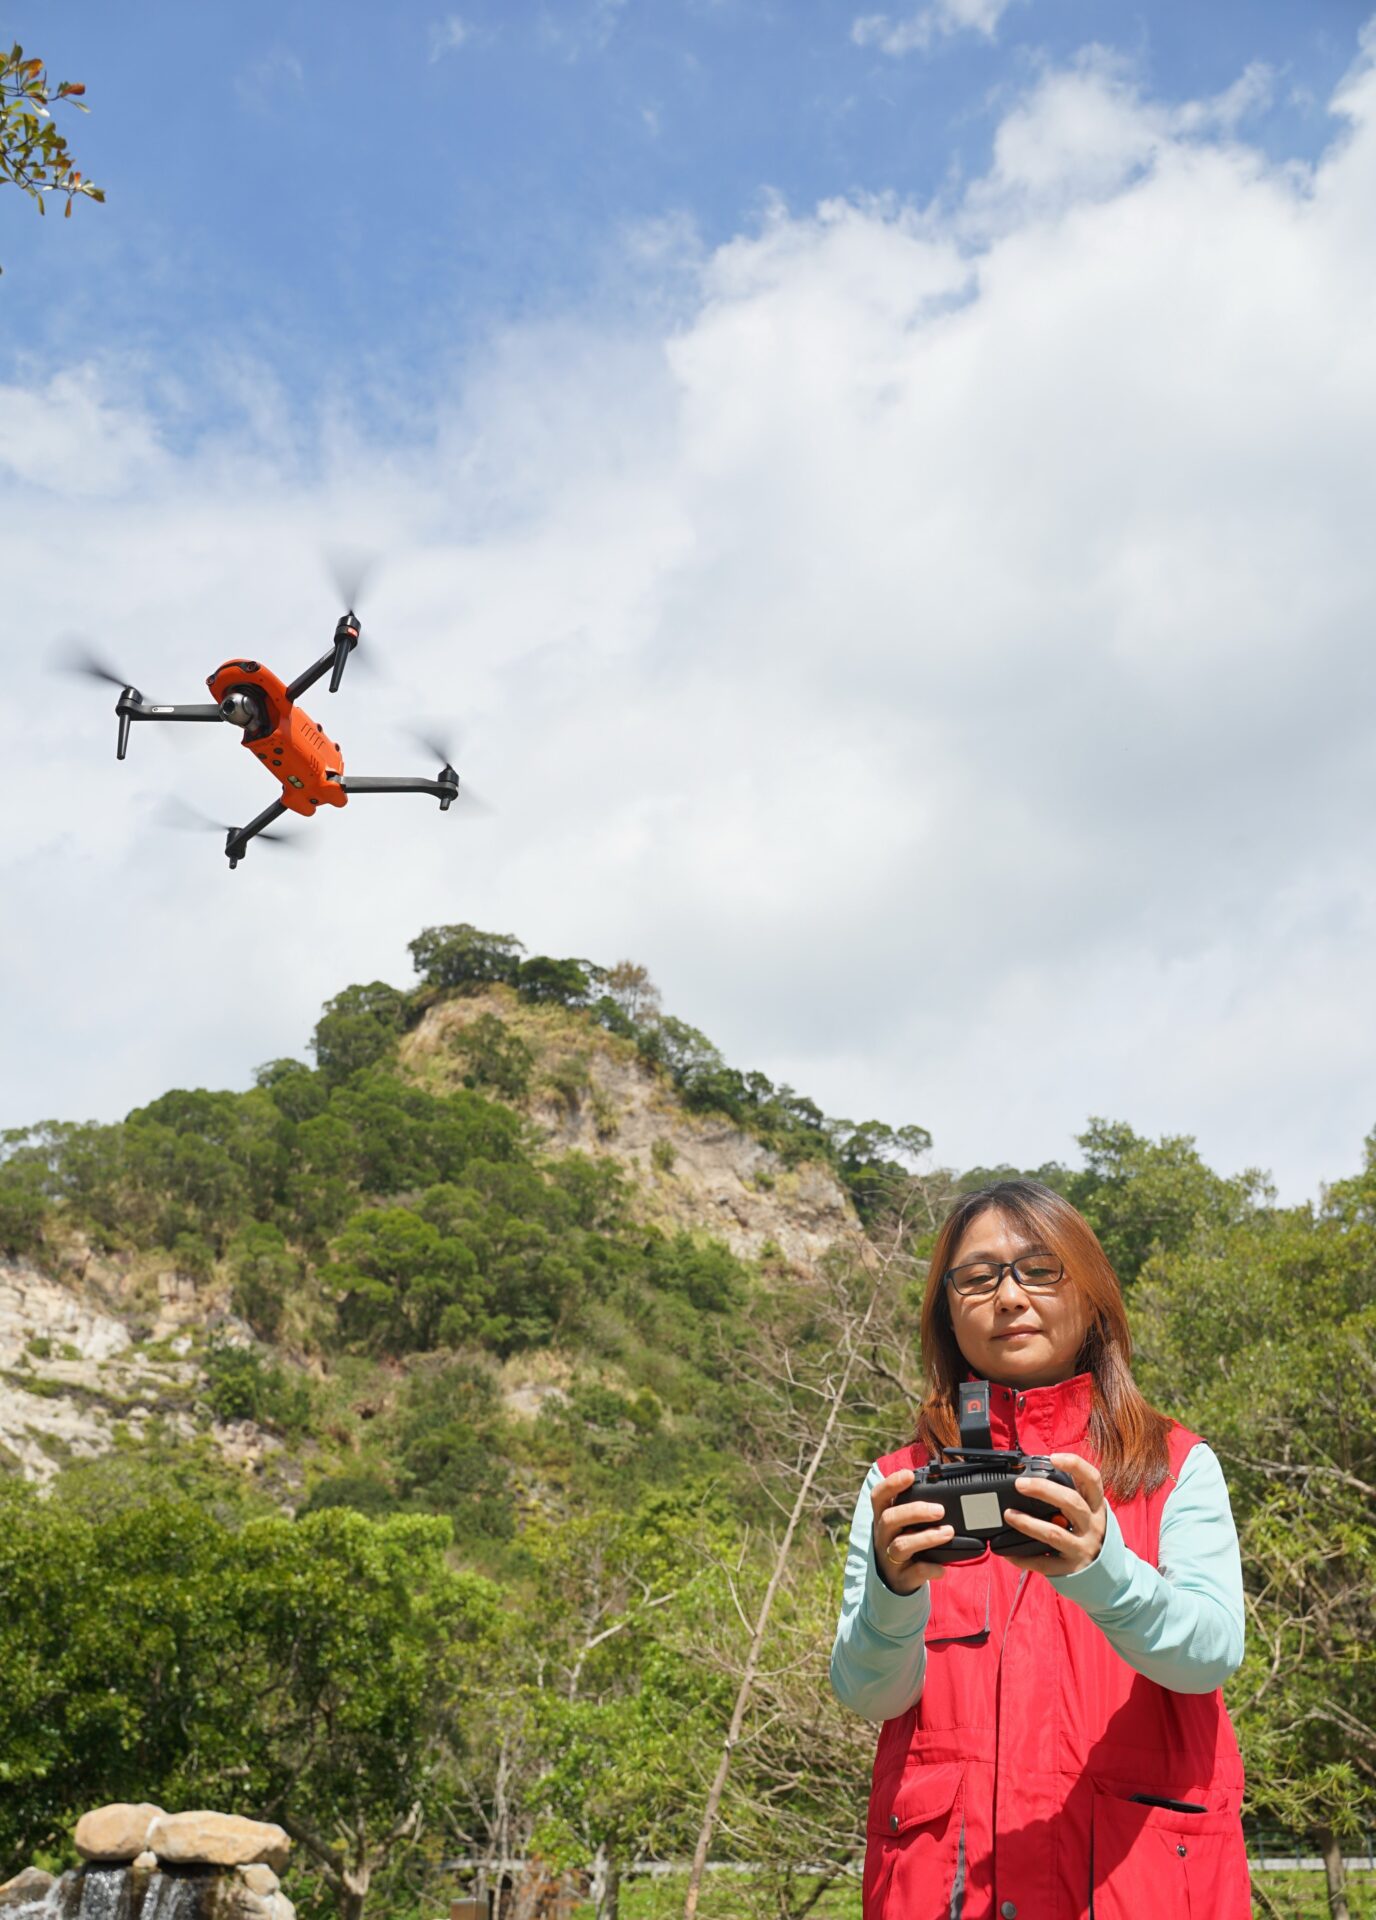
974, 1485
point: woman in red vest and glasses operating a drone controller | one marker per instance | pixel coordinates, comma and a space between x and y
1055, 1744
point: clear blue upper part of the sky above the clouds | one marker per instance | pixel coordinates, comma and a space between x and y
356, 197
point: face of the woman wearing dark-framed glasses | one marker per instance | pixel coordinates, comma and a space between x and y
1014, 1337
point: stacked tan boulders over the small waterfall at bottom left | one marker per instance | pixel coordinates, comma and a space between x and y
235, 1865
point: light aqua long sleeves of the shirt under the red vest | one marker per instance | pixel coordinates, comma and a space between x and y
1181, 1625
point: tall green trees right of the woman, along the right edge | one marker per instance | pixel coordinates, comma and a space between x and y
1262, 1335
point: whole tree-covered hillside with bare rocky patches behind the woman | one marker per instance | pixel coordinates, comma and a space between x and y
400, 1449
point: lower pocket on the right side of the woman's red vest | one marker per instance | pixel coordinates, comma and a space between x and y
1152, 1860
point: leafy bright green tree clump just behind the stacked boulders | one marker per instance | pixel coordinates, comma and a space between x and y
300, 1669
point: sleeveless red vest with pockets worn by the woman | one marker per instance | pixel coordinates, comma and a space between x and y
1007, 1788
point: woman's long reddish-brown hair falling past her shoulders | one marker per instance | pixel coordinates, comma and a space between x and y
1126, 1433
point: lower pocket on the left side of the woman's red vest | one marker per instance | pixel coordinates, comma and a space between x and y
914, 1846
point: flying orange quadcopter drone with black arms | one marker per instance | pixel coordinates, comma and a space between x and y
281, 734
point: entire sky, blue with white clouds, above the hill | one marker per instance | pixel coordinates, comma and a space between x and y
882, 496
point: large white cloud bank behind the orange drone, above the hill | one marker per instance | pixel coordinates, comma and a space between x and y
941, 656
